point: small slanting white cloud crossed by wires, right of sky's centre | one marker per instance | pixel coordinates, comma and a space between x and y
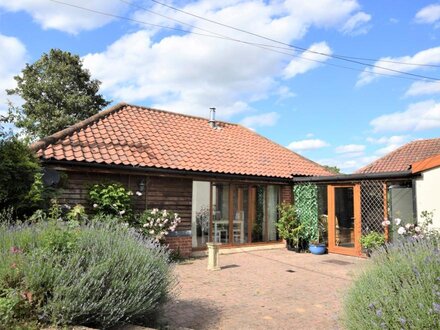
307, 61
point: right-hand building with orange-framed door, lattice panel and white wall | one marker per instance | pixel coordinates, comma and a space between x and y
401, 184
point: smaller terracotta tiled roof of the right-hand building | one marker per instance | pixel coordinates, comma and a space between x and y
402, 158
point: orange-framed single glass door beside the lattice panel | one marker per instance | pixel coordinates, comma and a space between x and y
344, 222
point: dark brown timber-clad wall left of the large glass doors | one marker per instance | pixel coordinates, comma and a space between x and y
173, 194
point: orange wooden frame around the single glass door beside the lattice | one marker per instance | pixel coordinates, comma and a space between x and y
332, 247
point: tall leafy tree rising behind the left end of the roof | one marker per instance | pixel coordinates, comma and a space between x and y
58, 92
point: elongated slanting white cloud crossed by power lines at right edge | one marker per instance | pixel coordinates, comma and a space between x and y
427, 56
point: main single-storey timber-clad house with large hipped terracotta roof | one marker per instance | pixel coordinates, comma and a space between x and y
223, 179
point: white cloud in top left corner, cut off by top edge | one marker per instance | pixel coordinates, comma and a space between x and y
51, 15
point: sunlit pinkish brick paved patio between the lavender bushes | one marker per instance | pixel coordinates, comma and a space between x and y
266, 289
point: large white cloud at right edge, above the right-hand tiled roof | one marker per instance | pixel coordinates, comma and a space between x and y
419, 116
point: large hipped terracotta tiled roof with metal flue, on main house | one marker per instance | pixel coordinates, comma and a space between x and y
138, 136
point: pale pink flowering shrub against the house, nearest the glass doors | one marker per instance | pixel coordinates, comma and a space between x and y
157, 223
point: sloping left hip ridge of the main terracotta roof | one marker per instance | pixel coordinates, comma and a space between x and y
51, 139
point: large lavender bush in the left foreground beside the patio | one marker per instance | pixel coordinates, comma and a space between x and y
93, 275
